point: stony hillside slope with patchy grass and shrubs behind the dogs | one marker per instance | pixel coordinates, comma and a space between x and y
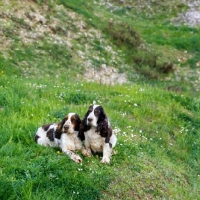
137, 40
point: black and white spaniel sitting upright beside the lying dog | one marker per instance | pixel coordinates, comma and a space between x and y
97, 131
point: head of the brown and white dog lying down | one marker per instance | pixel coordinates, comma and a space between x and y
69, 124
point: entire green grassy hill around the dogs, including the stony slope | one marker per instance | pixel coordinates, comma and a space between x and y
58, 56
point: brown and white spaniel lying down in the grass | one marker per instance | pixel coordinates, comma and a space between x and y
64, 135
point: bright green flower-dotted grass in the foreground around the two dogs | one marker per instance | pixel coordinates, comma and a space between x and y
157, 146
